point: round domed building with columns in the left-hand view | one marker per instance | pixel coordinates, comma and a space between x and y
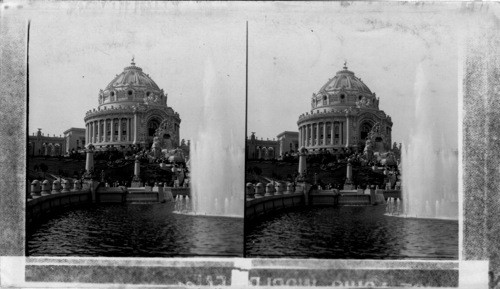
132, 111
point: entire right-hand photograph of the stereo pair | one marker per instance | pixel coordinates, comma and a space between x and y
352, 133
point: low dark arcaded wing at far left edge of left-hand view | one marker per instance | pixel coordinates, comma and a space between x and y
45, 145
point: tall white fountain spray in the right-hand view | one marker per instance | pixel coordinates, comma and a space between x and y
429, 166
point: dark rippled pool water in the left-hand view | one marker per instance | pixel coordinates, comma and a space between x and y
135, 230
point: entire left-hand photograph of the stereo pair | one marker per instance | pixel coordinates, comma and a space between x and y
136, 128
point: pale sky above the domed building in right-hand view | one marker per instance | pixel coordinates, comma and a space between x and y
294, 53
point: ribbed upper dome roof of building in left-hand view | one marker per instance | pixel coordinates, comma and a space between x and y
132, 76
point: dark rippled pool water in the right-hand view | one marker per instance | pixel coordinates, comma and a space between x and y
351, 233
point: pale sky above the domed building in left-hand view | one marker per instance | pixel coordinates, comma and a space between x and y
76, 49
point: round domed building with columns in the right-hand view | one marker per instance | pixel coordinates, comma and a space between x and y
344, 114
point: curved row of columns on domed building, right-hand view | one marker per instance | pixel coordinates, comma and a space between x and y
321, 133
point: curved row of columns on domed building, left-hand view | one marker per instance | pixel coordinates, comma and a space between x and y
116, 129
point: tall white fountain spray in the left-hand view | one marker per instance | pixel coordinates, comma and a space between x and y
217, 157
